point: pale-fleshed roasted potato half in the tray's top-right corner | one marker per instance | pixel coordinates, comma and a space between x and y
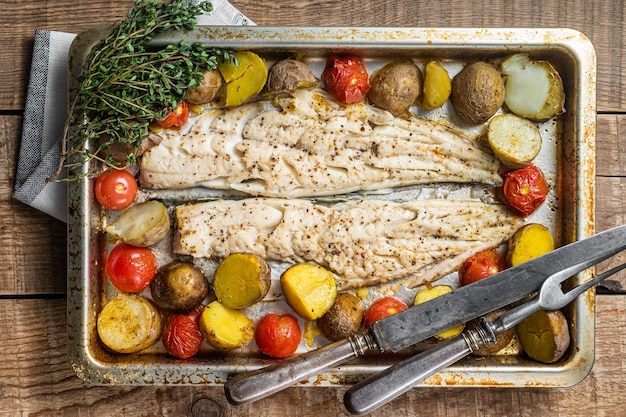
534, 89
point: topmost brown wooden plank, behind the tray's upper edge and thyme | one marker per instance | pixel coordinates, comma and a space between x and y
73, 16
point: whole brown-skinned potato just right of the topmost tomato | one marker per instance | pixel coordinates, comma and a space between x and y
396, 87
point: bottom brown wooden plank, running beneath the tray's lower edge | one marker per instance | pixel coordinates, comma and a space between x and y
37, 380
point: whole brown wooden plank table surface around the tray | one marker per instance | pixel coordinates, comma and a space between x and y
35, 376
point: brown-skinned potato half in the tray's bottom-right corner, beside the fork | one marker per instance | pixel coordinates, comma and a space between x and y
544, 336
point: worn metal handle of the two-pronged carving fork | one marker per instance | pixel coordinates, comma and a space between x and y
394, 381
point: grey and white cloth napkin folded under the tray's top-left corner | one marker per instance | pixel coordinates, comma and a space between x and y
46, 110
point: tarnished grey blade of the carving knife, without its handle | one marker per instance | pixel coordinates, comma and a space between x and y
418, 323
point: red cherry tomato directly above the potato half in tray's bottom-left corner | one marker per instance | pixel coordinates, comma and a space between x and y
131, 268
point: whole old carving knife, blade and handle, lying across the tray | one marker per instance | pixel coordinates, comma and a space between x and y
420, 322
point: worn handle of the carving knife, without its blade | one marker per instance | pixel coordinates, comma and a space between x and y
255, 385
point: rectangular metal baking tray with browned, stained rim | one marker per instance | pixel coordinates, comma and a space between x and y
567, 157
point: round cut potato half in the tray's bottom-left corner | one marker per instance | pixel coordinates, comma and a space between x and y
129, 323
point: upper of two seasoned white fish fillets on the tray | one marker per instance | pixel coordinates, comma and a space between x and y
311, 145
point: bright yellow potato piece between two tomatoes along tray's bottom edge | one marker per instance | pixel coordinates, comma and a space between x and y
226, 328
